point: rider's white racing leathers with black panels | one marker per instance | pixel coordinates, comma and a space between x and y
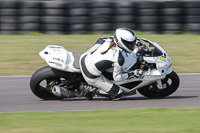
93, 63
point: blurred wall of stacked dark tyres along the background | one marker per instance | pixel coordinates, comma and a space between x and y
80, 17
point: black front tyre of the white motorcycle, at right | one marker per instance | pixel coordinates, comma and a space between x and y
170, 83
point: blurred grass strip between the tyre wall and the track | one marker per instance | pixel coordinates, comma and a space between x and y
19, 53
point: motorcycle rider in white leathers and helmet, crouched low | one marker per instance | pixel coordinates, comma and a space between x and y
104, 54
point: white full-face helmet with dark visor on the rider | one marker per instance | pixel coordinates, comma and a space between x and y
125, 38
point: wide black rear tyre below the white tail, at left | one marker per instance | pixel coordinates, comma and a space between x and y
40, 81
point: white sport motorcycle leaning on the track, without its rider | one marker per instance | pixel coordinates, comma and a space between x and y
62, 77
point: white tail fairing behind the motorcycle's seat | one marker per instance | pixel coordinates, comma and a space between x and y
59, 58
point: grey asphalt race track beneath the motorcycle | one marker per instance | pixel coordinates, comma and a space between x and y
16, 96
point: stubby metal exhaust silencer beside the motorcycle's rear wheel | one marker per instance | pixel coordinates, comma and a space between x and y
62, 92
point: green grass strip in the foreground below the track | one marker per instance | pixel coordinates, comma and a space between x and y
112, 121
